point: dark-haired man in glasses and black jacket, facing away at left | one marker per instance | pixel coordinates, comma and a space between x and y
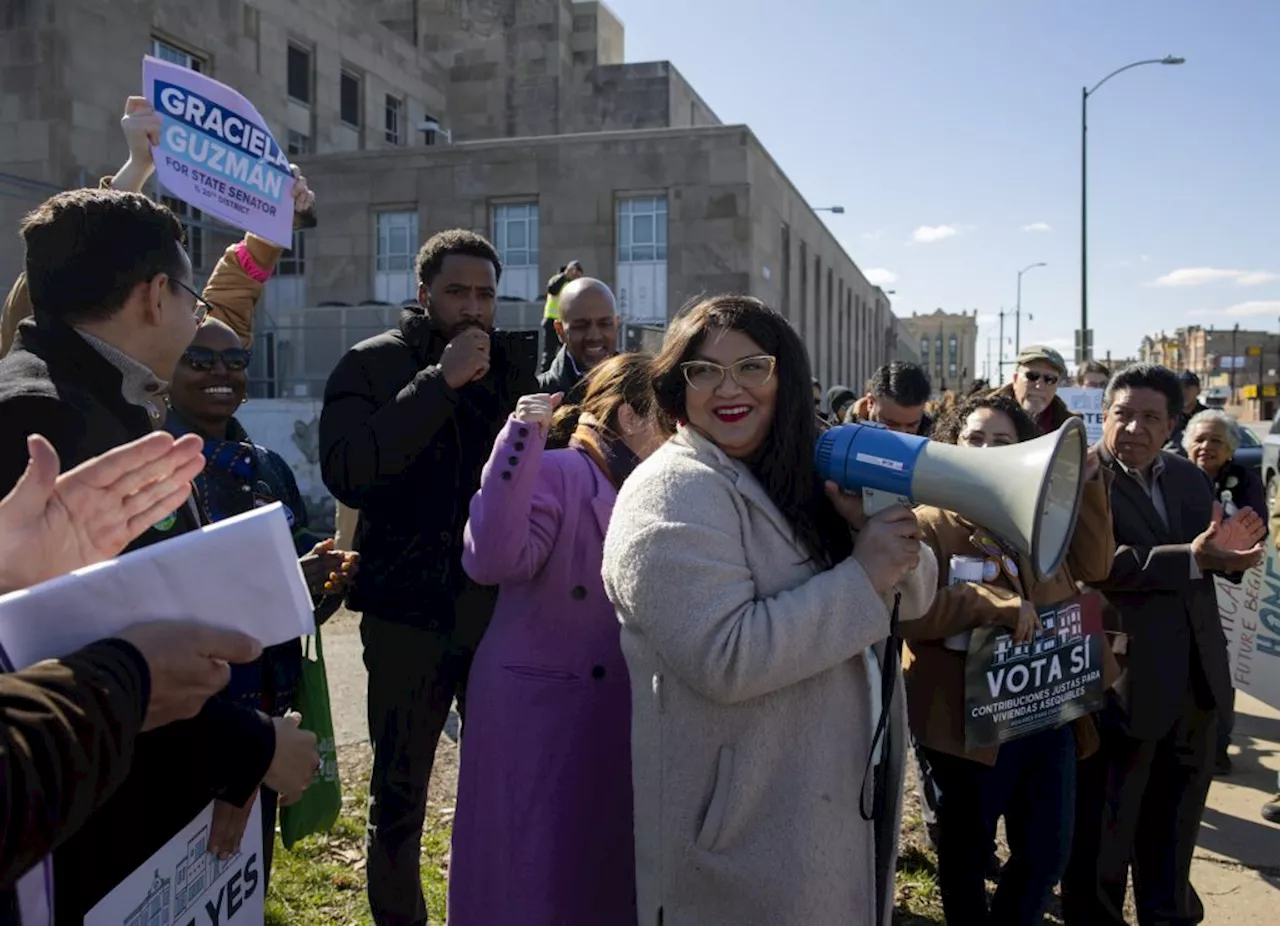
115, 312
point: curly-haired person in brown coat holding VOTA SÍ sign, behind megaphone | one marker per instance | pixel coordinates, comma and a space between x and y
1030, 781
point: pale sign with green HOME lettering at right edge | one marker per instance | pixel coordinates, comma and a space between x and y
1251, 619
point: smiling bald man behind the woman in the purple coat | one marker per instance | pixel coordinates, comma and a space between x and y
588, 330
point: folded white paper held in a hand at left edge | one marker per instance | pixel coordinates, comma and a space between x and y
240, 574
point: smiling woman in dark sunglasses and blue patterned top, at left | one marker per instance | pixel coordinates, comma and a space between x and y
208, 387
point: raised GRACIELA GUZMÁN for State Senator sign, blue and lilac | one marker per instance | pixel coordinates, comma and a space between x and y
217, 153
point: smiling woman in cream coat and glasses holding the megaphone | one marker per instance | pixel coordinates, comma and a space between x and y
752, 600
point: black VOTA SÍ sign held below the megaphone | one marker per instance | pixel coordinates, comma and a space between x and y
1017, 690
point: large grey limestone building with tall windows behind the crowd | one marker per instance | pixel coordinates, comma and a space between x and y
518, 118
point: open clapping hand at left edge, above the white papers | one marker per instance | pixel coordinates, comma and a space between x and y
52, 524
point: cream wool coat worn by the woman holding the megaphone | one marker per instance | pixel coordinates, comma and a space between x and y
752, 704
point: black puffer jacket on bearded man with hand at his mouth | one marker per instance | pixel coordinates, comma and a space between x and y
406, 450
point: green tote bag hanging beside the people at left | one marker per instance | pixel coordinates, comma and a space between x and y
321, 805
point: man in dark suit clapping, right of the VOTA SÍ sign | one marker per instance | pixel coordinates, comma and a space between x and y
1141, 799
